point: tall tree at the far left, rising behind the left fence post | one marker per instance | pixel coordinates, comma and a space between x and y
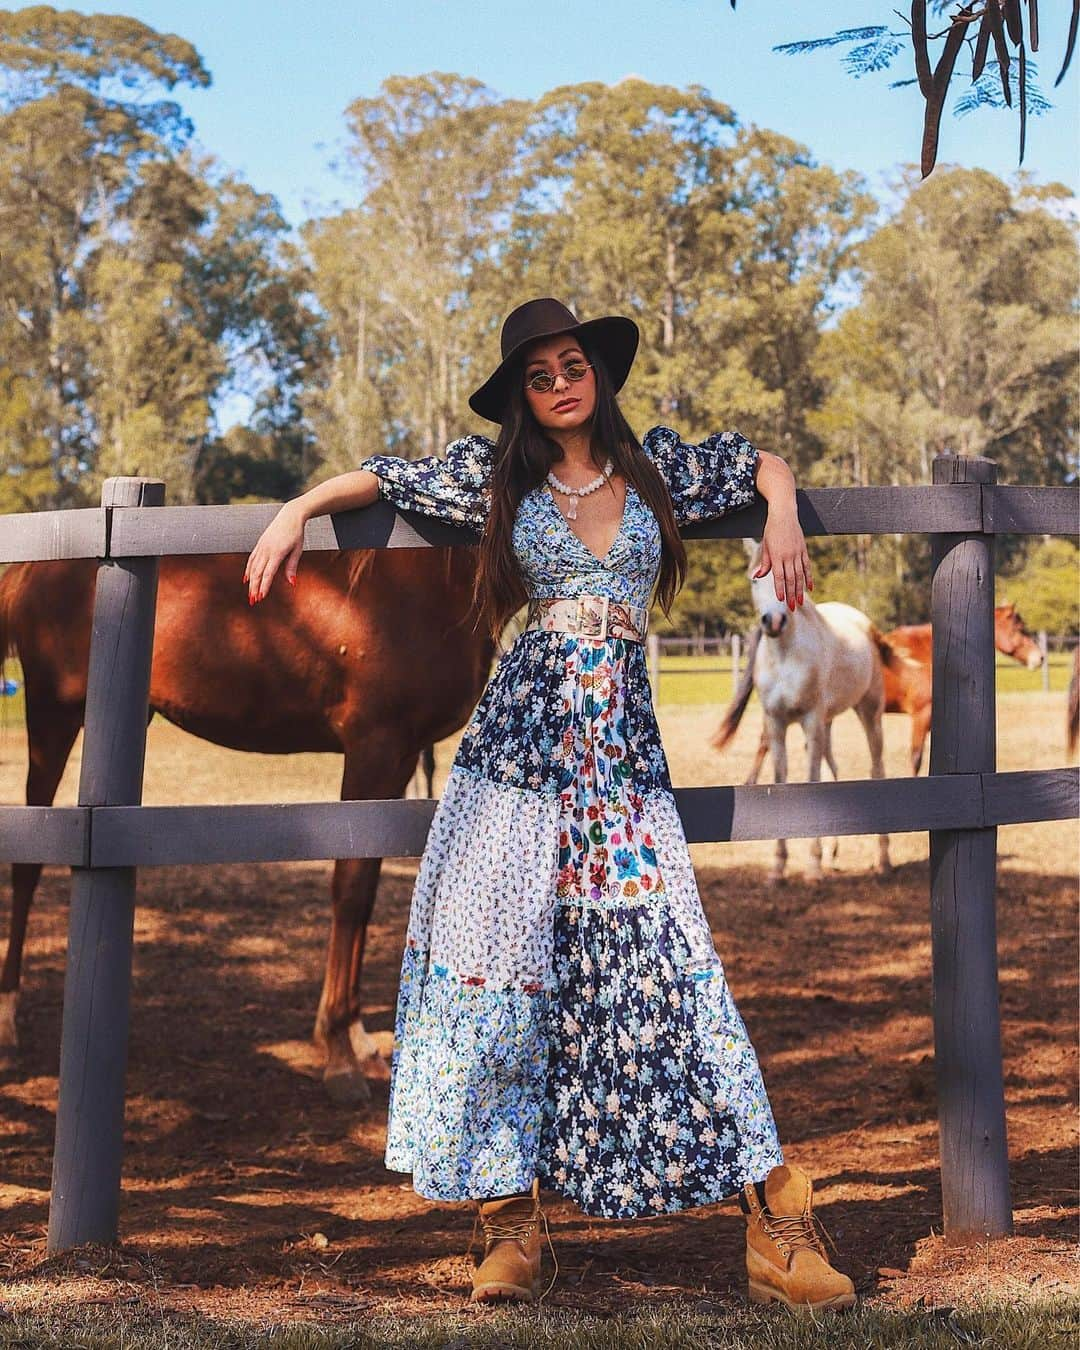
137, 280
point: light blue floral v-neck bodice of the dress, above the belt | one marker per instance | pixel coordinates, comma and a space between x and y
556, 562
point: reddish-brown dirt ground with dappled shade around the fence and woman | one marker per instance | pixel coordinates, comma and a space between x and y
249, 1195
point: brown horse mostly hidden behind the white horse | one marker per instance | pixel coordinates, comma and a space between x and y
908, 681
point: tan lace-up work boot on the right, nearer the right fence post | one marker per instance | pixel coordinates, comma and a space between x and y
786, 1262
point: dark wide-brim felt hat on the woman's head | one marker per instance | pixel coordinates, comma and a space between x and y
614, 338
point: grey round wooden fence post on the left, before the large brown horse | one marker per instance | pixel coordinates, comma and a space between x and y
86, 1199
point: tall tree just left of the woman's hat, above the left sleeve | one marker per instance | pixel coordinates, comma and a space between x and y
402, 276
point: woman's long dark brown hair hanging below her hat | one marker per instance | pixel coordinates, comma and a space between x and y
524, 454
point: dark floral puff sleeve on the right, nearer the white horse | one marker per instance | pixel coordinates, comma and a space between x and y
705, 481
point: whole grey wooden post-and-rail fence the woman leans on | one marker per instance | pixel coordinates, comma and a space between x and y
109, 835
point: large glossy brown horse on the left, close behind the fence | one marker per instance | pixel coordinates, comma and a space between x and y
342, 662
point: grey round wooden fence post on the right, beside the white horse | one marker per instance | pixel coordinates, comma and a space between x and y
967, 1019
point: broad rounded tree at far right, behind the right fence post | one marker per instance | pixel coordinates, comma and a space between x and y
963, 344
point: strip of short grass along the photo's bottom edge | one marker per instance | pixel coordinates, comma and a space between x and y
1040, 1326
